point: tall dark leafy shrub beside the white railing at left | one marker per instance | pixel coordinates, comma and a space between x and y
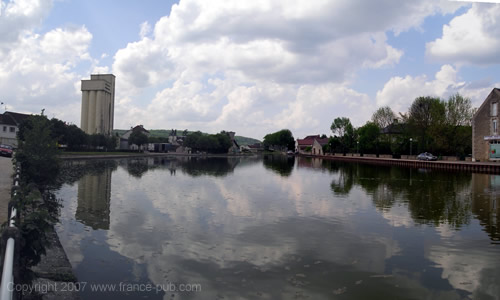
40, 254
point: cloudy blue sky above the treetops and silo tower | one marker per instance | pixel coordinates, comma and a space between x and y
252, 67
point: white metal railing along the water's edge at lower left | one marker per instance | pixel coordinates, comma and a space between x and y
7, 284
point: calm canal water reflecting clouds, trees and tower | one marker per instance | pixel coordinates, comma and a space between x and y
278, 228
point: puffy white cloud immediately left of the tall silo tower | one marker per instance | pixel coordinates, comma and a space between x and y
38, 72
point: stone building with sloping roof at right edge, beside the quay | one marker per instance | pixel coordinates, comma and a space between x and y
485, 132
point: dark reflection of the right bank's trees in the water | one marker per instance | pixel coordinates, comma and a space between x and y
432, 197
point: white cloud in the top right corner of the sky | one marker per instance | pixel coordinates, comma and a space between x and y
473, 37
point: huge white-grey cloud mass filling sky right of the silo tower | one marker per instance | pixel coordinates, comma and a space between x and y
262, 65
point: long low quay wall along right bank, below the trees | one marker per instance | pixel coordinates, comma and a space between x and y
478, 167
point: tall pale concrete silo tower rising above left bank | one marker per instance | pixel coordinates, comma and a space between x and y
98, 104
